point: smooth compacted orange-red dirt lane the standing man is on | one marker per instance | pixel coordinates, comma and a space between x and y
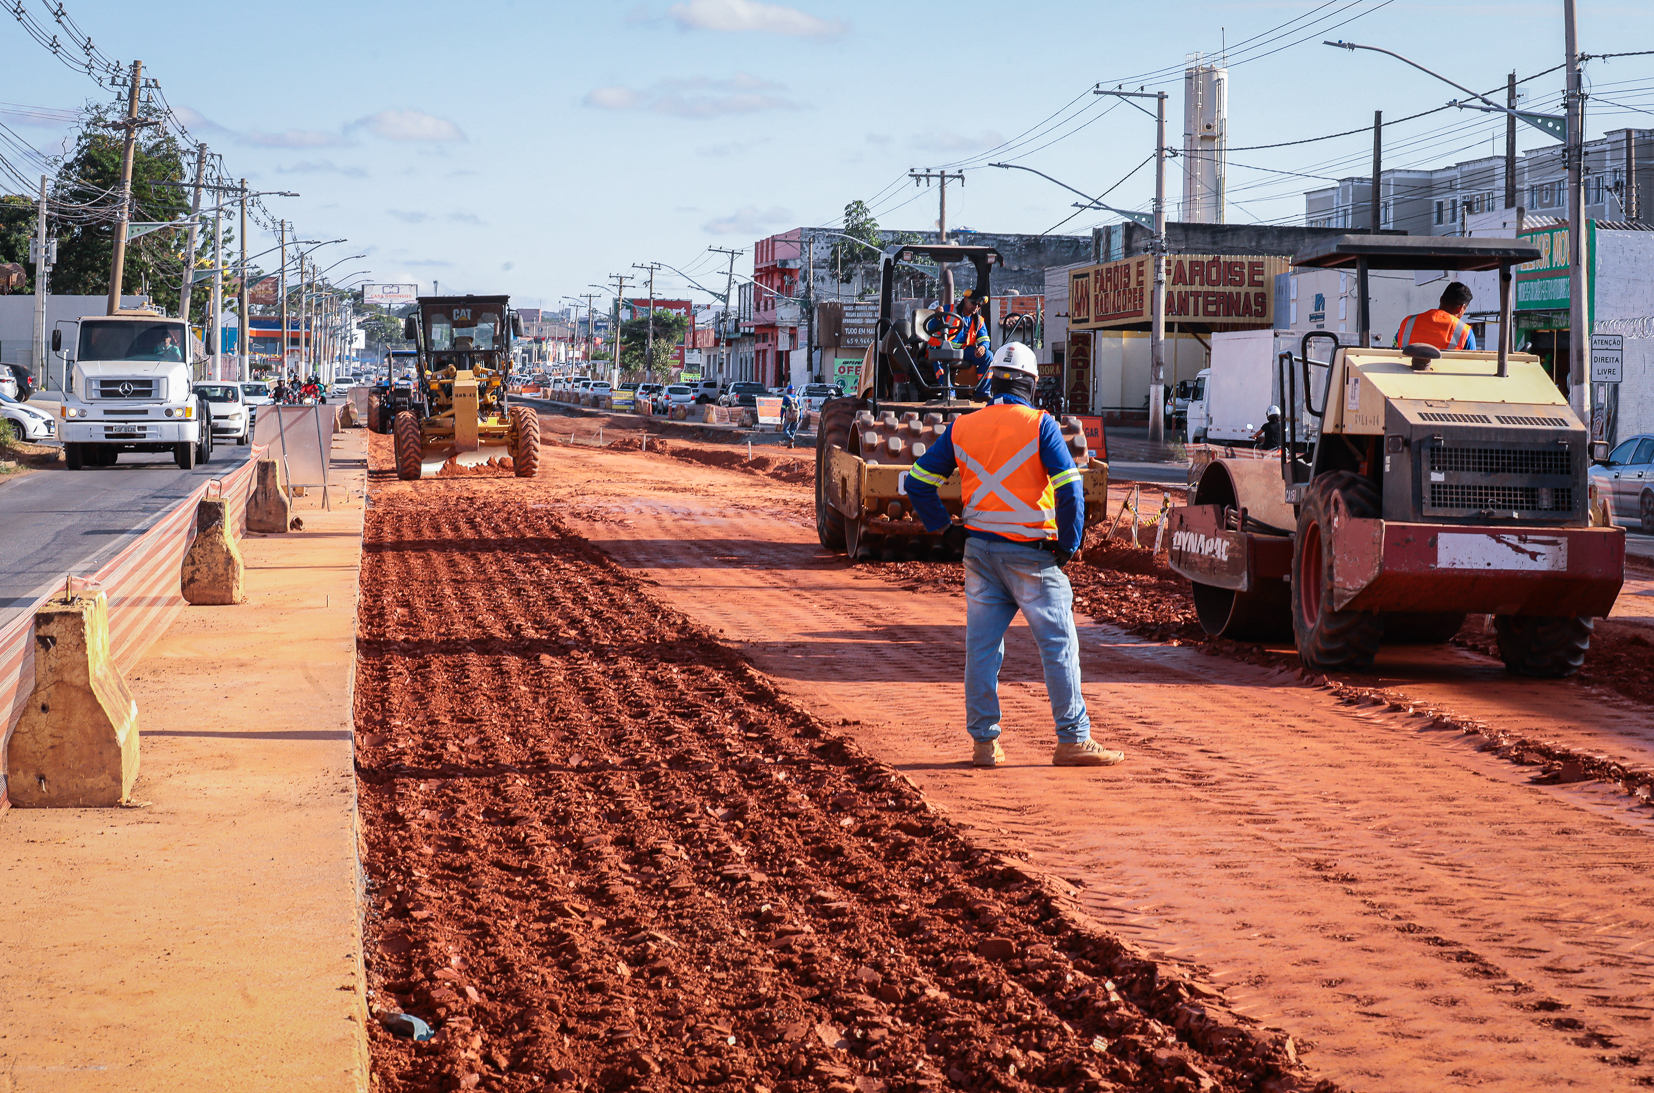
1367, 879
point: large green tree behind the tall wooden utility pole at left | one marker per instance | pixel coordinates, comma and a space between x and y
90, 184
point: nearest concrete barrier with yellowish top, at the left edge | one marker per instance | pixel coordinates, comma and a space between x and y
77, 742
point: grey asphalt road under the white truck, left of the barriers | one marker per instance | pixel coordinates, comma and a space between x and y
60, 522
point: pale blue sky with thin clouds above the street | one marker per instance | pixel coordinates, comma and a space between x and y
538, 148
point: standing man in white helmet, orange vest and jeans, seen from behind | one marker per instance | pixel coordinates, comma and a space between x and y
1025, 513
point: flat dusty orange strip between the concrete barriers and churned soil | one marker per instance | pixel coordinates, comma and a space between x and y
209, 938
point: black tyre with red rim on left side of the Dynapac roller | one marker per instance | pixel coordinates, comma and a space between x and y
1331, 639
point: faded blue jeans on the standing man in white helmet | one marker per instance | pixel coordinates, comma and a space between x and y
1000, 580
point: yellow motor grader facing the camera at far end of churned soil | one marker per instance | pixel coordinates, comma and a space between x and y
456, 409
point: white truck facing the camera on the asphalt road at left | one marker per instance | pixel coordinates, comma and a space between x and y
131, 389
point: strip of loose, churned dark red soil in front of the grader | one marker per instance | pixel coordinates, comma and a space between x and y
606, 854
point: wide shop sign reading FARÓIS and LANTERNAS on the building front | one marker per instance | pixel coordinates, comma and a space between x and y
1217, 292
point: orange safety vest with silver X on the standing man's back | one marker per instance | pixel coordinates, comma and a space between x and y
1005, 484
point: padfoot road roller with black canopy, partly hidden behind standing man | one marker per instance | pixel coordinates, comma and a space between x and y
868, 442
